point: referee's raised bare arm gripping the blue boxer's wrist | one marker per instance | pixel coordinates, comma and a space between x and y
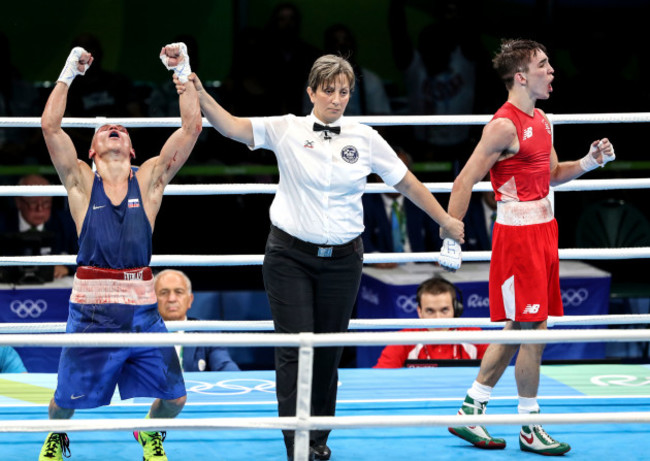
236, 128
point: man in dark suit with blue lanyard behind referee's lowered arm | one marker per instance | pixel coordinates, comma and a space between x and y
394, 225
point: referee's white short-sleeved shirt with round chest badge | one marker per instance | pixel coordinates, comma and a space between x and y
321, 180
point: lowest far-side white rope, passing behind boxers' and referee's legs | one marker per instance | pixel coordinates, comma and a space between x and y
355, 324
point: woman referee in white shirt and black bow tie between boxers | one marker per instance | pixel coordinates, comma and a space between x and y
314, 253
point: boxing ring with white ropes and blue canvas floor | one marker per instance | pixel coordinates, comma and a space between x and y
601, 410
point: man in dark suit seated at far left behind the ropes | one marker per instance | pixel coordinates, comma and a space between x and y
52, 230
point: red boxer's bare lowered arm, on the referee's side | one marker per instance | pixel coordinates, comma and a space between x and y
499, 138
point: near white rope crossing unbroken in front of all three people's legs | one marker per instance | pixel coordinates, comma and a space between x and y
308, 340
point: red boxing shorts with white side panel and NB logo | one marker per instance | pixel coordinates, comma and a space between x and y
525, 272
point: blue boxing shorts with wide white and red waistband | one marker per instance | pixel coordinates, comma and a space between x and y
88, 376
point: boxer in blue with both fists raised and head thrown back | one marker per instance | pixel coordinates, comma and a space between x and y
114, 210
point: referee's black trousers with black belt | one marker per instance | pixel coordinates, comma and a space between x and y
308, 293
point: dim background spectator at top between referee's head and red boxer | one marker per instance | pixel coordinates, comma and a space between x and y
440, 73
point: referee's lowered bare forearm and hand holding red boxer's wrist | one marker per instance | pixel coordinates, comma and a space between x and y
416, 192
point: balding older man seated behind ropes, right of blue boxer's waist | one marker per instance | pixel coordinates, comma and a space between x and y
174, 293
